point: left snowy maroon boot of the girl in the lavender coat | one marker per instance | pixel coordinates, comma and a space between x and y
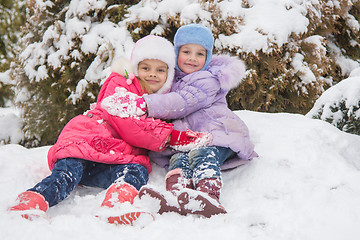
174, 182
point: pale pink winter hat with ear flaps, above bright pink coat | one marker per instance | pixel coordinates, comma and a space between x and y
155, 47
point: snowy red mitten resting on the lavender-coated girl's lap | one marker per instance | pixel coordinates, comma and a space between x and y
188, 140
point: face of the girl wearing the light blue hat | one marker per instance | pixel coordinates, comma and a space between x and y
191, 58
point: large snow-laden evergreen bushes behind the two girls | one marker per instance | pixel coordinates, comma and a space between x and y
294, 50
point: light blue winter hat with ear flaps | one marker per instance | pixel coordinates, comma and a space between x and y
196, 34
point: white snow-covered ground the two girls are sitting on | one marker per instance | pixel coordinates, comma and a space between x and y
305, 185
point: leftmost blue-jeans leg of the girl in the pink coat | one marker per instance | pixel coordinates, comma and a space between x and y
65, 176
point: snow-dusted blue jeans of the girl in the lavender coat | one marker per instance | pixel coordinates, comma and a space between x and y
201, 163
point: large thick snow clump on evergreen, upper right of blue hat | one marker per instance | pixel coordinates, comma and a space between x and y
266, 22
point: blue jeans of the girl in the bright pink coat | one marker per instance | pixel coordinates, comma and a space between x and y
69, 172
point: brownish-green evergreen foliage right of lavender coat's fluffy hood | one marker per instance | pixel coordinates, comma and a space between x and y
271, 85
